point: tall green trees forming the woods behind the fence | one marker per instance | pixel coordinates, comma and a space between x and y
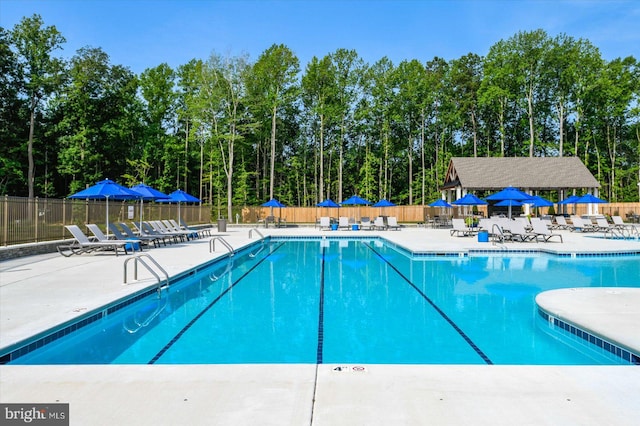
236, 132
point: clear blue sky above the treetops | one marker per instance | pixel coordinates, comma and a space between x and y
145, 33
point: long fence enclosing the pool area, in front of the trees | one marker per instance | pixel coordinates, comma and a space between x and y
24, 220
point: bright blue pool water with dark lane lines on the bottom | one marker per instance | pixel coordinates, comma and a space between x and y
348, 301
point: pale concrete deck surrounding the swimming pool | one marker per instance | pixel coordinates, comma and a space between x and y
39, 292
